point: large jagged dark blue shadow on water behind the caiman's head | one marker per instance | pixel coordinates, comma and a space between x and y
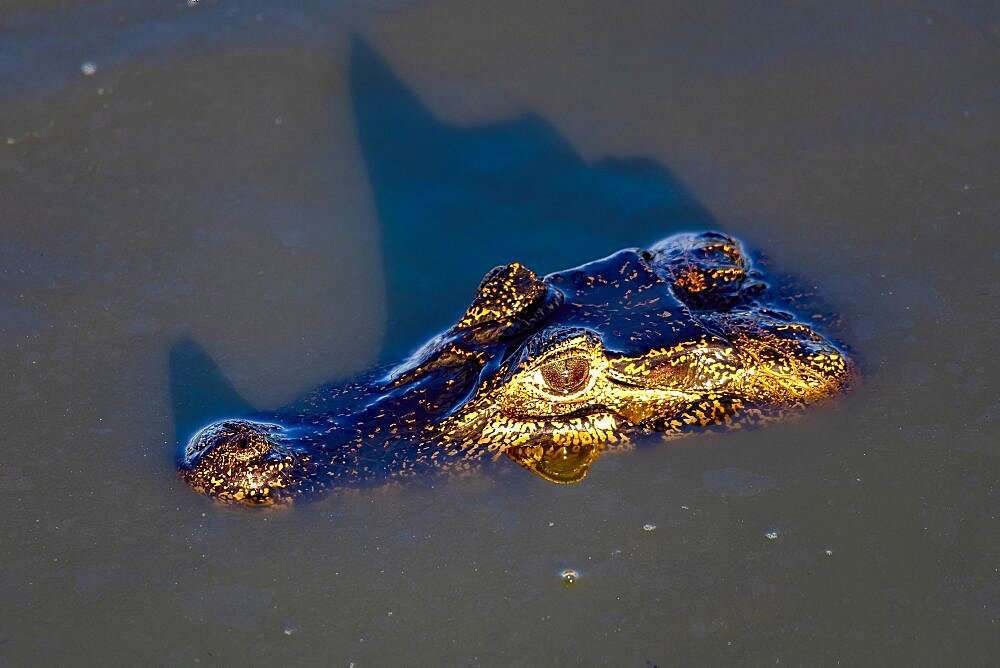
456, 201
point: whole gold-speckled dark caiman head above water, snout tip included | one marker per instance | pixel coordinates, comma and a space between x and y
550, 372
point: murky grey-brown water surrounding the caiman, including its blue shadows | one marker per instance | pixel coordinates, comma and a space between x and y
301, 192
